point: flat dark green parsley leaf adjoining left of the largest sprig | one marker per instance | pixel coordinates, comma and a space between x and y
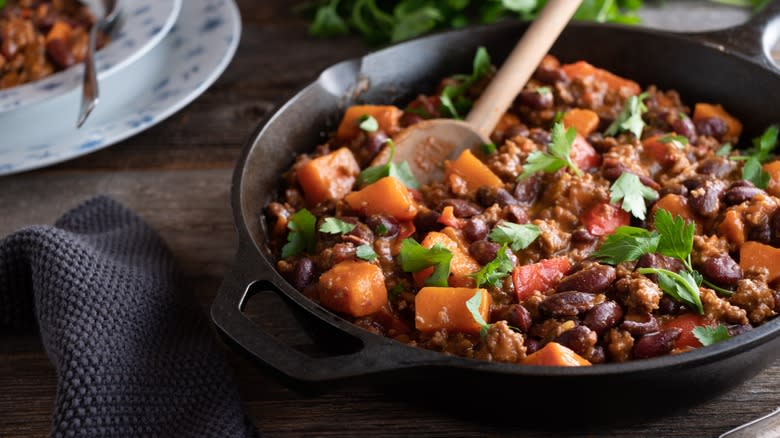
627, 244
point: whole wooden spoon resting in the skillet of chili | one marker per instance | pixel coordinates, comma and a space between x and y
427, 144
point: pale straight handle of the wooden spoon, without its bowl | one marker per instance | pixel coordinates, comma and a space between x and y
520, 65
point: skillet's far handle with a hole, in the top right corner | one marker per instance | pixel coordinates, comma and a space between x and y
753, 39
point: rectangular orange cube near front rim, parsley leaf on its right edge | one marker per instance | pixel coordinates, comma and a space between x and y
439, 308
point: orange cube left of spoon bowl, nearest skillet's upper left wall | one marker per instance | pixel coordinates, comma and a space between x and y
328, 177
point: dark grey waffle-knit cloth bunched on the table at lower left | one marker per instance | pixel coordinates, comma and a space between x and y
133, 356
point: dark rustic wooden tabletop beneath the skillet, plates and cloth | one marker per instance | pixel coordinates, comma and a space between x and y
177, 176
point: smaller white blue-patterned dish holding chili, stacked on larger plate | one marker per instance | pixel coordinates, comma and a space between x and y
143, 24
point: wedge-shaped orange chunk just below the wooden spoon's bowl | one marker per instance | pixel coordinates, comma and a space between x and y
387, 196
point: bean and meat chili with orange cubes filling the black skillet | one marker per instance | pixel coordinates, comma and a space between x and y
606, 222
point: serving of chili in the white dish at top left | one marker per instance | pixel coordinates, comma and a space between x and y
39, 38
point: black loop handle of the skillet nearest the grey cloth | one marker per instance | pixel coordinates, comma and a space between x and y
375, 355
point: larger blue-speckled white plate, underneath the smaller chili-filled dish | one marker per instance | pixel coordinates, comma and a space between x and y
189, 59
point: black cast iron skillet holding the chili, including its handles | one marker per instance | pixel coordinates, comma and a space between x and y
730, 67
